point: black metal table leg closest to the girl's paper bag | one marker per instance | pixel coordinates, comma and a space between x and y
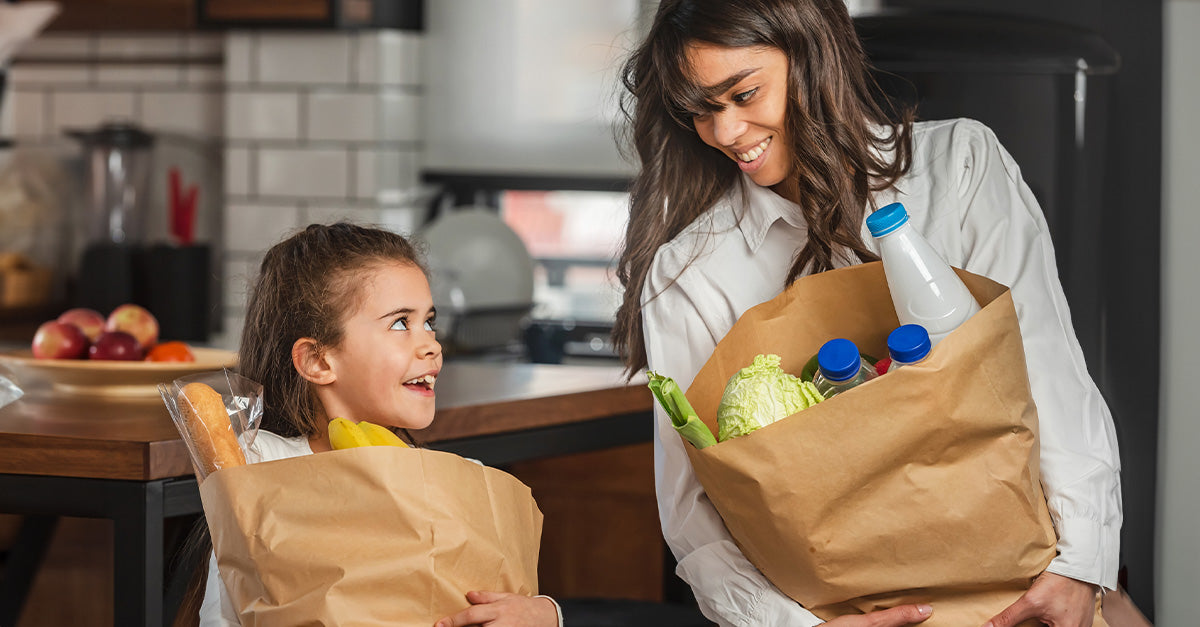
139, 559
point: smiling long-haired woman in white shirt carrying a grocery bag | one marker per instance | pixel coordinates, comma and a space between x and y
763, 151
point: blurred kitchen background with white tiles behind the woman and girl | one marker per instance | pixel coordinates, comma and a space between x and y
487, 129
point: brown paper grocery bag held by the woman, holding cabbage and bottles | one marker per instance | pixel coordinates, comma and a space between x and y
922, 486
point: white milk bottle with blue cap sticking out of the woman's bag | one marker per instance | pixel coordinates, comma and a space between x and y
925, 289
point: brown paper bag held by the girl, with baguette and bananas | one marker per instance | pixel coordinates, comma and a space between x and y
369, 536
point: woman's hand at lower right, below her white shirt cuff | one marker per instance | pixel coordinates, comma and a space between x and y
1054, 600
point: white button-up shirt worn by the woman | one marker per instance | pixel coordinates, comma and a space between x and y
967, 196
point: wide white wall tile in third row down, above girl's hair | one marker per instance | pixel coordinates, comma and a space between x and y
304, 172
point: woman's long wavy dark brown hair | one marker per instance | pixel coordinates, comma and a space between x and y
839, 133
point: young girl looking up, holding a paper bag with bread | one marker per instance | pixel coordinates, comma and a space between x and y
341, 323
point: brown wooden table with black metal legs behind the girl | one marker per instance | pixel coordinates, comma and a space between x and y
124, 461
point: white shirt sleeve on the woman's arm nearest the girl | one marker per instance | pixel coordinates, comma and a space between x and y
728, 588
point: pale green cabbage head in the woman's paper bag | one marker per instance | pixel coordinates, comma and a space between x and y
761, 395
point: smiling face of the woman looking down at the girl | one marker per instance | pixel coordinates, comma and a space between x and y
752, 83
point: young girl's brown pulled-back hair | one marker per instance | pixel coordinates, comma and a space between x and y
305, 289
